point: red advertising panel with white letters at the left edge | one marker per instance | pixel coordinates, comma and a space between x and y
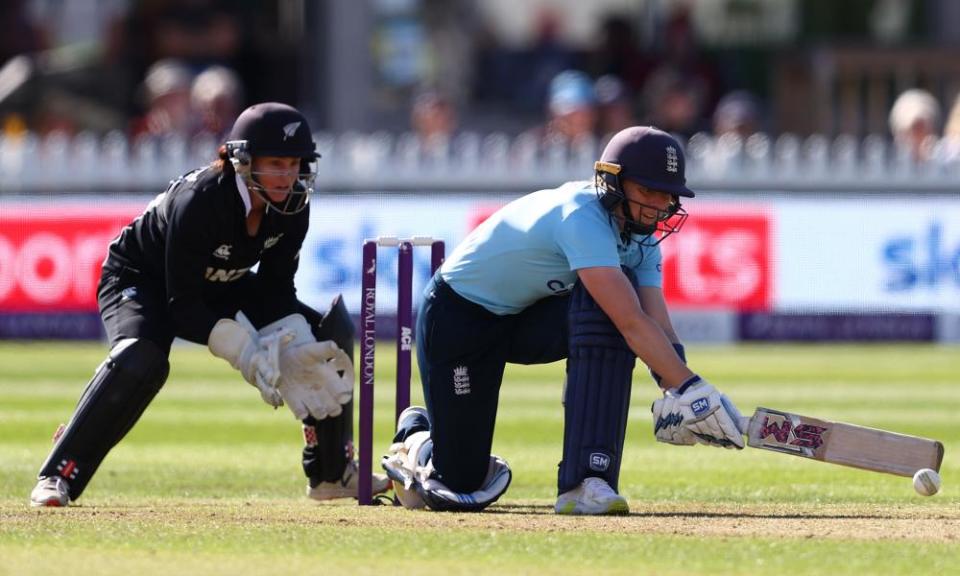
50, 254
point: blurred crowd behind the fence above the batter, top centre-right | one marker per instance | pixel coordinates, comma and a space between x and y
593, 93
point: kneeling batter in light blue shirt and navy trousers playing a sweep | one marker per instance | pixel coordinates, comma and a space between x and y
573, 273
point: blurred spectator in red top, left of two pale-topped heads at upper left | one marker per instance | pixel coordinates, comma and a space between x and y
166, 90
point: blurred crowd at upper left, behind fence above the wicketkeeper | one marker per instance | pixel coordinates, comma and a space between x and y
138, 66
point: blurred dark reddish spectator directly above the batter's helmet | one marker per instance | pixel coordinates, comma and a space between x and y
674, 103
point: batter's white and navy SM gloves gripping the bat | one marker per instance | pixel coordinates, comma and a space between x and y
697, 412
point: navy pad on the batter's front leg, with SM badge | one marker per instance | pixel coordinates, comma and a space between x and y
597, 395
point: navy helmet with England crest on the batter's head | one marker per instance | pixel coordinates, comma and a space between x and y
654, 159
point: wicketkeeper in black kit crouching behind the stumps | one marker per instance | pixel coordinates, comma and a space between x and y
183, 269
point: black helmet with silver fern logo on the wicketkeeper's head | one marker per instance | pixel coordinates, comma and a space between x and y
274, 129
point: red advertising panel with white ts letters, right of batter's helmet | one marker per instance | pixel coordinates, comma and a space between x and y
721, 259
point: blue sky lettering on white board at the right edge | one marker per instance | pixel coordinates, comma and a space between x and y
929, 259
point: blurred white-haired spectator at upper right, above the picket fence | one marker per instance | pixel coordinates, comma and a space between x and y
915, 123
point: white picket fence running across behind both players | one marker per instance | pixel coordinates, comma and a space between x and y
473, 162
